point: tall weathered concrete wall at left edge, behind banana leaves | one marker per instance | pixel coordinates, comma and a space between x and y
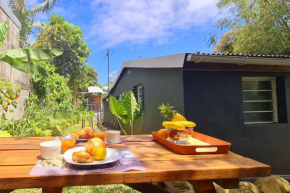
6, 71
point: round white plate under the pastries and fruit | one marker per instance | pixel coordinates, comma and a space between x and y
112, 156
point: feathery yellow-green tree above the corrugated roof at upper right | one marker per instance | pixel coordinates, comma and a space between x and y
253, 27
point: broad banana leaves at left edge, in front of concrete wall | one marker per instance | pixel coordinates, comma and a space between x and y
26, 60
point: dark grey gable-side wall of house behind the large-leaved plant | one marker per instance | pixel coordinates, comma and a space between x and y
160, 85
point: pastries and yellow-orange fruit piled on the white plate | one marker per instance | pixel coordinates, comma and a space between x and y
95, 151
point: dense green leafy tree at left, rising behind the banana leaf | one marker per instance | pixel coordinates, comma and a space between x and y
72, 63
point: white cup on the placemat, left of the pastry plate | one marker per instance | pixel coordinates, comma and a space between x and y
50, 149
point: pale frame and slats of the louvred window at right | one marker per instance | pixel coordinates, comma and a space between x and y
274, 98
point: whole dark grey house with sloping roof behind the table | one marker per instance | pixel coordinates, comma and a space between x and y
242, 99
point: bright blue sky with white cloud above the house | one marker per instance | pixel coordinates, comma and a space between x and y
133, 29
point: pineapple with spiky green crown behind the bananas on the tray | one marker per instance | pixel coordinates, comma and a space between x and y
169, 113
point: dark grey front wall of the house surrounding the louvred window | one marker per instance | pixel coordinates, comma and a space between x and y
214, 101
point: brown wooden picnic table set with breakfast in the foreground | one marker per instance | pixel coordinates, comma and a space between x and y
19, 155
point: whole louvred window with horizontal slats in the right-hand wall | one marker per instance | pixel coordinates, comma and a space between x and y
259, 100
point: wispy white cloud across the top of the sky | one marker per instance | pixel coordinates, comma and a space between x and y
140, 21
